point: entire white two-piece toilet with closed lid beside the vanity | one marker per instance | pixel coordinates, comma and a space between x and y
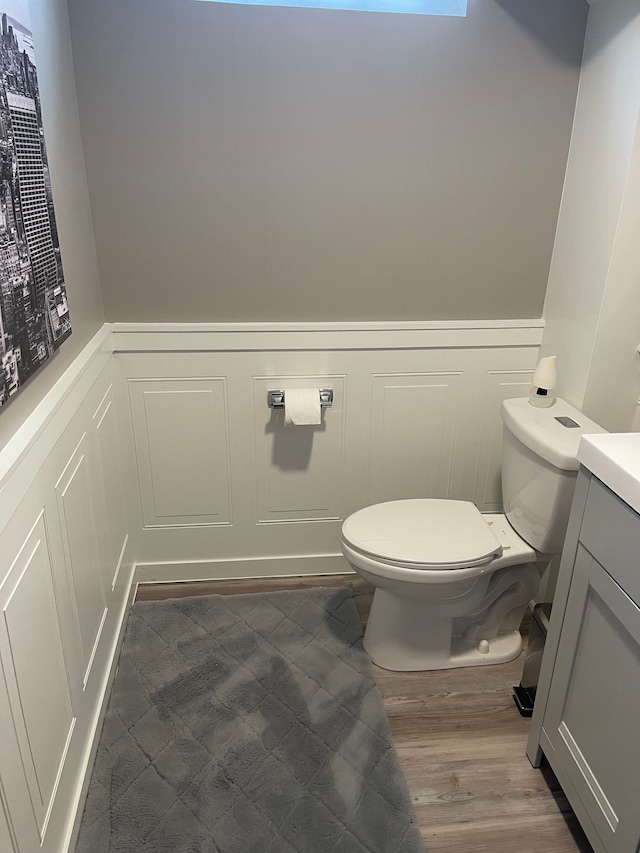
452, 583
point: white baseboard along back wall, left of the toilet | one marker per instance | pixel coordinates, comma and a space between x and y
258, 567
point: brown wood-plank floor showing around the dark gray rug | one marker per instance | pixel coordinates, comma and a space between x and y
461, 743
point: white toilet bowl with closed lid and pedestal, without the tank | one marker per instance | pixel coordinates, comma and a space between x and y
443, 595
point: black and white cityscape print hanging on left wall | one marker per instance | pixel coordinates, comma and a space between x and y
34, 316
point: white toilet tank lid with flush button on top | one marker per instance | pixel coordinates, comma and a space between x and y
553, 433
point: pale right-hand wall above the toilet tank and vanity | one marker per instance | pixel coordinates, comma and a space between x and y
592, 308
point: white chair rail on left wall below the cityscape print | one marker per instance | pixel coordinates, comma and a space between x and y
16, 449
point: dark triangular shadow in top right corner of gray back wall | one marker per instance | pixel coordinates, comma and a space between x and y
535, 16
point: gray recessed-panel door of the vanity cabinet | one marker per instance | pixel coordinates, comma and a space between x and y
591, 719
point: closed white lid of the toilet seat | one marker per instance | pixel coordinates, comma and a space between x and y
442, 533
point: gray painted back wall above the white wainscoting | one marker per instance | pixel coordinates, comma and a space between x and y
251, 163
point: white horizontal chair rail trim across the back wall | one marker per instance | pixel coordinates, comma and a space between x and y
270, 337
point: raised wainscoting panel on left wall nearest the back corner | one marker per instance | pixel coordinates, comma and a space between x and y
112, 525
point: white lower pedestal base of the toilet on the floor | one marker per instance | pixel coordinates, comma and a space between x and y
407, 636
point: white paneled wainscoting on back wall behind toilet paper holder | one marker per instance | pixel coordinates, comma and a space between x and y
415, 414
